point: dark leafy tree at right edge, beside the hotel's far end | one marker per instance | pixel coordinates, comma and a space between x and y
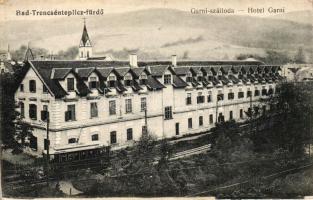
293, 108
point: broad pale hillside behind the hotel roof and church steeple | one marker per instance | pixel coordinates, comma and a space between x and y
158, 33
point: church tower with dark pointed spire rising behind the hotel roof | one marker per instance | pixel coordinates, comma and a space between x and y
85, 46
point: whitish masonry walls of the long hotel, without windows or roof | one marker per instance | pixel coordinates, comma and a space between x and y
84, 126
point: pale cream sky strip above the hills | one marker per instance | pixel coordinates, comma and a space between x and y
8, 7
